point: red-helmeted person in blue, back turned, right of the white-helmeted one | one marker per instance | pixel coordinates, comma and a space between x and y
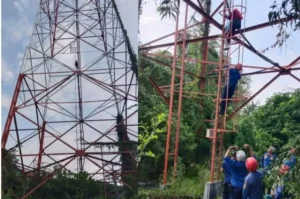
253, 186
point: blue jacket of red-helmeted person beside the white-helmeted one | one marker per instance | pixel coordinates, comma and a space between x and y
253, 187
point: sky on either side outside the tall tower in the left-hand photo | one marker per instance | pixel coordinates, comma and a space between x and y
18, 17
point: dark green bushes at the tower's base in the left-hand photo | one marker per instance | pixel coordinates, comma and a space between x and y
62, 185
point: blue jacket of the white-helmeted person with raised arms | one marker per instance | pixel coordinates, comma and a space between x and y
238, 171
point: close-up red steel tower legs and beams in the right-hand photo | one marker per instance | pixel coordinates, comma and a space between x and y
204, 77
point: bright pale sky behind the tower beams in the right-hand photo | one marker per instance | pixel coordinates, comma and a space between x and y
151, 27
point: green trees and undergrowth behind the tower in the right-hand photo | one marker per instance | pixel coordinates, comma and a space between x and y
274, 123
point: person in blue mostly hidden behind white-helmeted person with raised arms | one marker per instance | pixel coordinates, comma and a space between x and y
227, 182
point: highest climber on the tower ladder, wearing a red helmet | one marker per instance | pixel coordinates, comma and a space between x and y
234, 24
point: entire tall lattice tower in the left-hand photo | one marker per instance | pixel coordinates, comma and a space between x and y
78, 75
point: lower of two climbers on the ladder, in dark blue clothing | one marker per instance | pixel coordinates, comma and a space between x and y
234, 76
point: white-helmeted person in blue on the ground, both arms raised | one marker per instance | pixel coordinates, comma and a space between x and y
238, 169
